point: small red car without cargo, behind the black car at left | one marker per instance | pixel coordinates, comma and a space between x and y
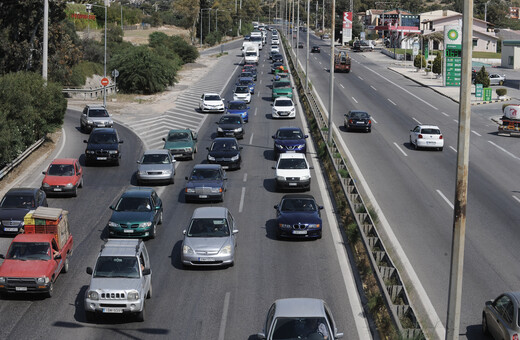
64, 176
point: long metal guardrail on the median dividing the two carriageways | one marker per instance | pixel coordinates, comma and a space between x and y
388, 278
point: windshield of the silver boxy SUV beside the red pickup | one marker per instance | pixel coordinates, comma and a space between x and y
117, 267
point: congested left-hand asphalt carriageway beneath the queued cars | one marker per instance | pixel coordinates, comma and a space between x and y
189, 304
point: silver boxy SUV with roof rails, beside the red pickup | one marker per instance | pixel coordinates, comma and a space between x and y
121, 280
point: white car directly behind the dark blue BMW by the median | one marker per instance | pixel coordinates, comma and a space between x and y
293, 172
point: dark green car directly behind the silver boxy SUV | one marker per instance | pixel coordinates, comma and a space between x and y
136, 214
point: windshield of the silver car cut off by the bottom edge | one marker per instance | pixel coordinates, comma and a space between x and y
300, 328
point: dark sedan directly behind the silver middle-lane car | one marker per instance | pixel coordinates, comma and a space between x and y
207, 182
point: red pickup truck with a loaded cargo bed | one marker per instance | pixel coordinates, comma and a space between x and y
35, 259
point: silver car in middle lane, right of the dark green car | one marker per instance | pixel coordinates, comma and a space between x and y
210, 239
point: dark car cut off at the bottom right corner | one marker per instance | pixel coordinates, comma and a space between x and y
500, 316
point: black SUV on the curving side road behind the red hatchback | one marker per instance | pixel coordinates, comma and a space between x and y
103, 146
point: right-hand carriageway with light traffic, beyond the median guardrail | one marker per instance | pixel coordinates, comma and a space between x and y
415, 189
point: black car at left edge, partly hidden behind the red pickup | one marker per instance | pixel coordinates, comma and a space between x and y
15, 204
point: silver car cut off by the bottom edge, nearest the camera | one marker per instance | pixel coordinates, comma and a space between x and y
299, 318
